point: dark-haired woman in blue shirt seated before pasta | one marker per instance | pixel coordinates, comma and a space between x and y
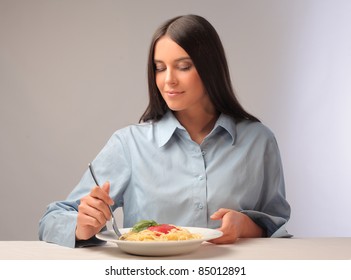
196, 158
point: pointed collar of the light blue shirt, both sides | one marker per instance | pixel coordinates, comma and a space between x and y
169, 124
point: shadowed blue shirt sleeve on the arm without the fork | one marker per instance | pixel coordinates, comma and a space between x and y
272, 211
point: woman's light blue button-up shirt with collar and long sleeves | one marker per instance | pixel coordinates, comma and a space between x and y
157, 172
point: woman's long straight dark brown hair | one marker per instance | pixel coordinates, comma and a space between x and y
202, 43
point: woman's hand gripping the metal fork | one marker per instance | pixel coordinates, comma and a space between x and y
93, 212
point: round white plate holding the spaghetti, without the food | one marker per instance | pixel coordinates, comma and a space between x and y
160, 248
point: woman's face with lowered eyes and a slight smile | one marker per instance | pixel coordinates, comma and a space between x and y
177, 78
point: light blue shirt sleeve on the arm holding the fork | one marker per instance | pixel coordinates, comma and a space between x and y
58, 224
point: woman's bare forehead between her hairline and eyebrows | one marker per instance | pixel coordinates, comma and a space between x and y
166, 49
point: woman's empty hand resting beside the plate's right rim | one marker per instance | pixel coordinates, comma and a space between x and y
235, 225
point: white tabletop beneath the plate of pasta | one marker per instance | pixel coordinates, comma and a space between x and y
244, 249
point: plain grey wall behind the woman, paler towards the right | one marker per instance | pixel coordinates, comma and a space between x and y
72, 72
